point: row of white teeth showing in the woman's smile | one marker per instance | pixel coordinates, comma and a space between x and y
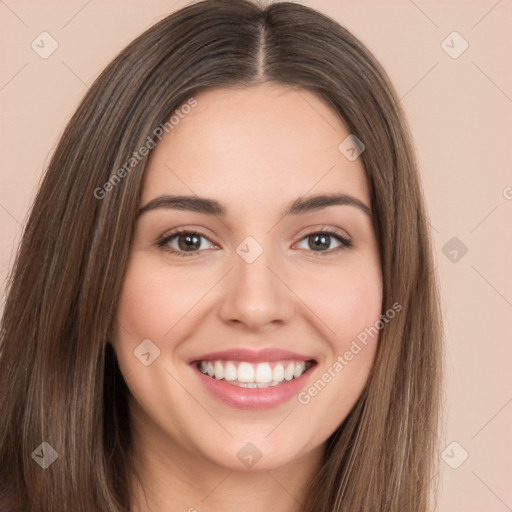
250, 375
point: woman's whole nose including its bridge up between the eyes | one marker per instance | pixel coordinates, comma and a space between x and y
256, 296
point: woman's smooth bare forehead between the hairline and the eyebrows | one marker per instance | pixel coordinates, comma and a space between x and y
268, 143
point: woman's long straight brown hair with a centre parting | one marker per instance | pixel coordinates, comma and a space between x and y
59, 379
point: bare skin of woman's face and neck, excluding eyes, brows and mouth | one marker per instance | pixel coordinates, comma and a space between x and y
255, 150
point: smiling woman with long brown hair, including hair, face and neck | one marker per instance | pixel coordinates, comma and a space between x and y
224, 297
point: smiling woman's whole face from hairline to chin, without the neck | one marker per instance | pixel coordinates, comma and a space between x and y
242, 303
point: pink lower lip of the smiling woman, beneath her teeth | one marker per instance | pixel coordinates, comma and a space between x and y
253, 398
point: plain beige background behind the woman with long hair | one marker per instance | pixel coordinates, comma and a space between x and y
460, 112
